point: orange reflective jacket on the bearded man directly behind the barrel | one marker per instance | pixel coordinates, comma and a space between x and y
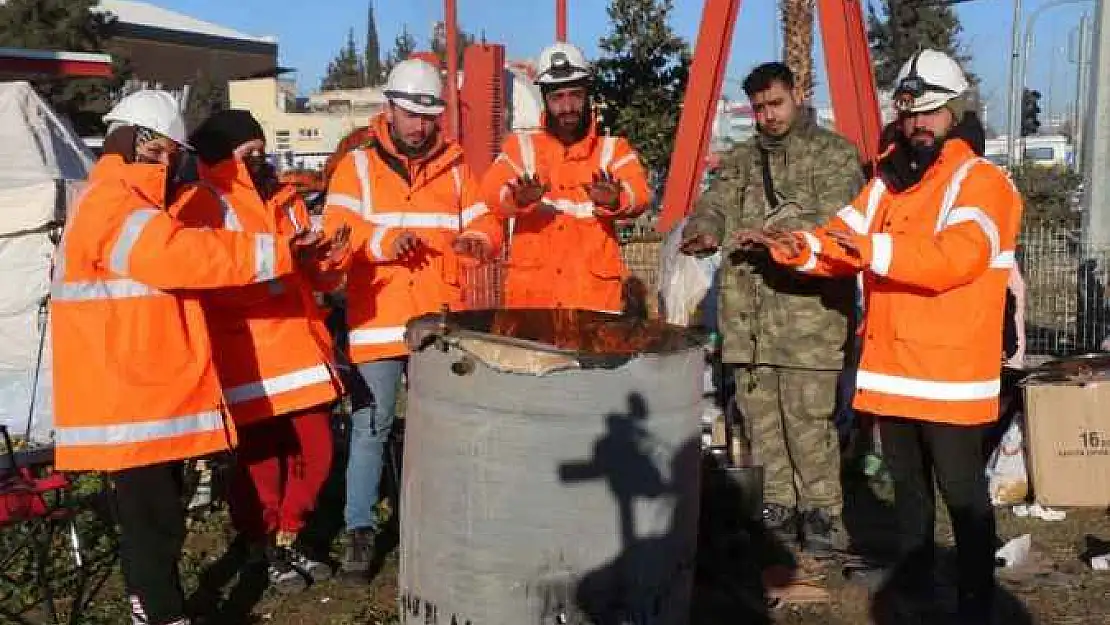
561, 256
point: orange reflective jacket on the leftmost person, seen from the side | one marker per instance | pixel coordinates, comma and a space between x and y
135, 382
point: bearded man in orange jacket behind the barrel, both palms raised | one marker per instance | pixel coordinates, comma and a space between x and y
562, 190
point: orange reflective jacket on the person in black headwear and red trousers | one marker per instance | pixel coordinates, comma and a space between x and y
274, 351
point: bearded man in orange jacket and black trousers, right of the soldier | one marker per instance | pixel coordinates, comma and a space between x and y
933, 237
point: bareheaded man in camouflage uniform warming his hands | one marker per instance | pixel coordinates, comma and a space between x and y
786, 334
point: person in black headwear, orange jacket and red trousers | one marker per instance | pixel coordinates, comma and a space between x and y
274, 357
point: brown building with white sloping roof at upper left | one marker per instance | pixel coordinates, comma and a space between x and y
171, 51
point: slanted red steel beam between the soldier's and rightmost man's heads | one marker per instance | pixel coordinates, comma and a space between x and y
851, 75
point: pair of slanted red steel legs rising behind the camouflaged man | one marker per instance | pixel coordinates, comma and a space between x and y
852, 88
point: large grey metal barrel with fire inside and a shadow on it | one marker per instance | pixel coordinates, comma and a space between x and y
551, 470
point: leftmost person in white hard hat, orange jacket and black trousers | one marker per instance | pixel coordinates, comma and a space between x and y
135, 388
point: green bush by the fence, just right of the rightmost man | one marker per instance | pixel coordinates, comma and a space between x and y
1050, 195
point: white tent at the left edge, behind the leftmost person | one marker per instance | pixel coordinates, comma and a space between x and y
43, 167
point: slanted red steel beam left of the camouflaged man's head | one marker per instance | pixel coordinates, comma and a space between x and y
700, 106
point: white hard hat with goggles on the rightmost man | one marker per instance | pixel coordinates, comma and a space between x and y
929, 82
